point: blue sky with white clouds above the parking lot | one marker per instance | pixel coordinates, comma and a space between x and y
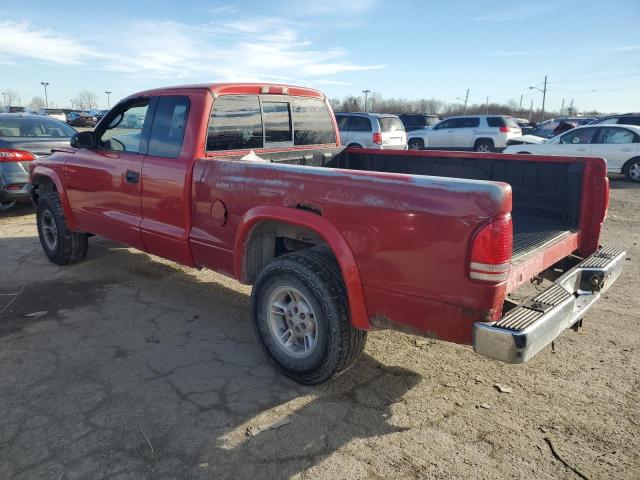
409, 49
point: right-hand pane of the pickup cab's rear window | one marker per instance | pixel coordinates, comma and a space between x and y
312, 124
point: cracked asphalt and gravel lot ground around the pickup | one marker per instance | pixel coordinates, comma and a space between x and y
140, 368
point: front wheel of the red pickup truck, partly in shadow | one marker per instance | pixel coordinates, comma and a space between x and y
69, 247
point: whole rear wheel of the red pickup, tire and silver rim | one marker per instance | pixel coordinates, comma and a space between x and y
300, 315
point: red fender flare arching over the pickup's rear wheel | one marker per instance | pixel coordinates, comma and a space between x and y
335, 240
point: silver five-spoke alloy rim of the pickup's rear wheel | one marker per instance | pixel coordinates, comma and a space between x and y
292, 322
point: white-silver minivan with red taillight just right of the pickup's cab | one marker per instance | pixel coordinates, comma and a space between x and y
371, 130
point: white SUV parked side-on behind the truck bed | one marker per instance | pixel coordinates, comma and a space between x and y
481, 133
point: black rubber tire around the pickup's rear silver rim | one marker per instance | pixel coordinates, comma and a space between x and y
317, 277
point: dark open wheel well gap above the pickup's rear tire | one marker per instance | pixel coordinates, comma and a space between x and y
271, 239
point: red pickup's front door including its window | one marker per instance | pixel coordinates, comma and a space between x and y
103, 183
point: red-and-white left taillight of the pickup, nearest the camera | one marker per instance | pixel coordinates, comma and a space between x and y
491, 251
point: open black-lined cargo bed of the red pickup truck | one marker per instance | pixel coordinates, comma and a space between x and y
546, 195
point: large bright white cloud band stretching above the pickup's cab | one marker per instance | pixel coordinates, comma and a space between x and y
248, 49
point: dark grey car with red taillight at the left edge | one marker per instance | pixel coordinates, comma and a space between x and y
24, 138
